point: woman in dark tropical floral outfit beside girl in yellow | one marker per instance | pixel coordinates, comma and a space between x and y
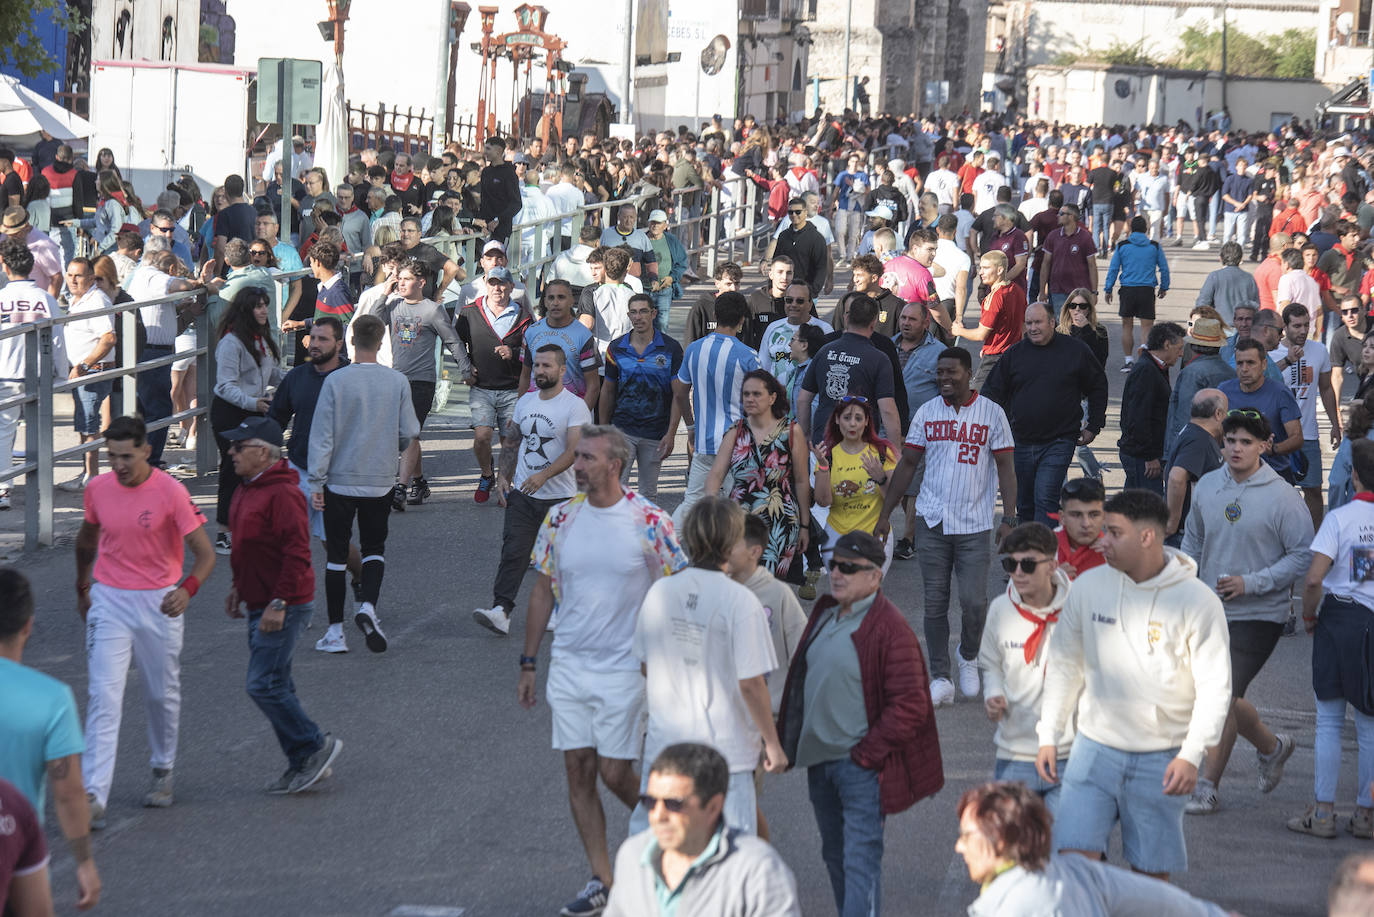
763, 463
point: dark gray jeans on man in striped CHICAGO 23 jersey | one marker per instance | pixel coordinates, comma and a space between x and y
968, 557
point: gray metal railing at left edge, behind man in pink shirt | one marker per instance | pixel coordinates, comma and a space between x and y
42, 387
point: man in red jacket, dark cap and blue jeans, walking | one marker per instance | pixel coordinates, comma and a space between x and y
273, 577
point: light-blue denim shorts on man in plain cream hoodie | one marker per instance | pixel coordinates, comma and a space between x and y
1104, 786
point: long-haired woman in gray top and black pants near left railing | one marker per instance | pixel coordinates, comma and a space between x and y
248, 368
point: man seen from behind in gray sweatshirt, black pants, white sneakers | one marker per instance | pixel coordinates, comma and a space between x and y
363, 420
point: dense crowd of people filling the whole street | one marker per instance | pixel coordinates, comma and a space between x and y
1114, 658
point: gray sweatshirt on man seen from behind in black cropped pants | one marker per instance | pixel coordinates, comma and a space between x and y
363, 421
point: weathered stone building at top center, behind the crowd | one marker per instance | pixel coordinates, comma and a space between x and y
901, 46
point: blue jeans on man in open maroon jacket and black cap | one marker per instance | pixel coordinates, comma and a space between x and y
850, 817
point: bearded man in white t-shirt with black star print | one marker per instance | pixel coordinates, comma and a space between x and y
535, 475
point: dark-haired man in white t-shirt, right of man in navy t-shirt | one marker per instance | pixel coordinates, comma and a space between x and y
1307, 373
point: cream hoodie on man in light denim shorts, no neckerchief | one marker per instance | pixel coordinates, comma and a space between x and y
1151, 662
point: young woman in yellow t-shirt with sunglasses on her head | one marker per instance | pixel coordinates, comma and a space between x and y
854, 467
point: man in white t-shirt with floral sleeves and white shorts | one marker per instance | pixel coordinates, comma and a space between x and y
597, 556
